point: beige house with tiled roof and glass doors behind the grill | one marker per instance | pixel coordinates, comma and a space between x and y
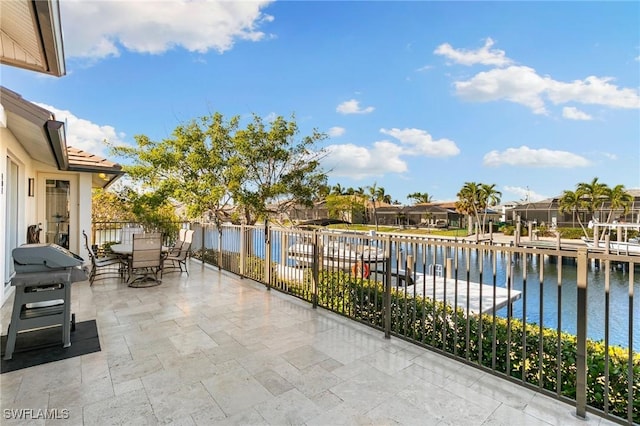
42, 181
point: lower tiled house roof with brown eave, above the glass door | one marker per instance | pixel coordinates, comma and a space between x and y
44, 140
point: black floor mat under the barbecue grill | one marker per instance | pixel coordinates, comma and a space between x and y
42, 346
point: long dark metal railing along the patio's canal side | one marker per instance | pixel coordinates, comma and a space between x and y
561, 321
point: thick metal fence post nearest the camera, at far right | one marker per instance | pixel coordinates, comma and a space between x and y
581, 322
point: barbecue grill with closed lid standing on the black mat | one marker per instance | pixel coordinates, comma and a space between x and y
44, 273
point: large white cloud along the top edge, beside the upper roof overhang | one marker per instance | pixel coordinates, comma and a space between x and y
99, 29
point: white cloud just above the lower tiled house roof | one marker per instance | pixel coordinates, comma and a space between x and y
85, 135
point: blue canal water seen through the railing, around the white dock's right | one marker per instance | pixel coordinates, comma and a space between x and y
539, 301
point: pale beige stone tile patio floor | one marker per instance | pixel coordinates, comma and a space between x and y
211, 348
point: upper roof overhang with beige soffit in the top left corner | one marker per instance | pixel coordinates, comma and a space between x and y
31, 36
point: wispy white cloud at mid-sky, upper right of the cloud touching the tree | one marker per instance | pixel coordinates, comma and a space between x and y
420, 142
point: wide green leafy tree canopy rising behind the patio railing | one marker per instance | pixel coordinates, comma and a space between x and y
214, 167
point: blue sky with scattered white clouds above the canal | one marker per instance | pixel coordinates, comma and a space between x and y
533, 97
